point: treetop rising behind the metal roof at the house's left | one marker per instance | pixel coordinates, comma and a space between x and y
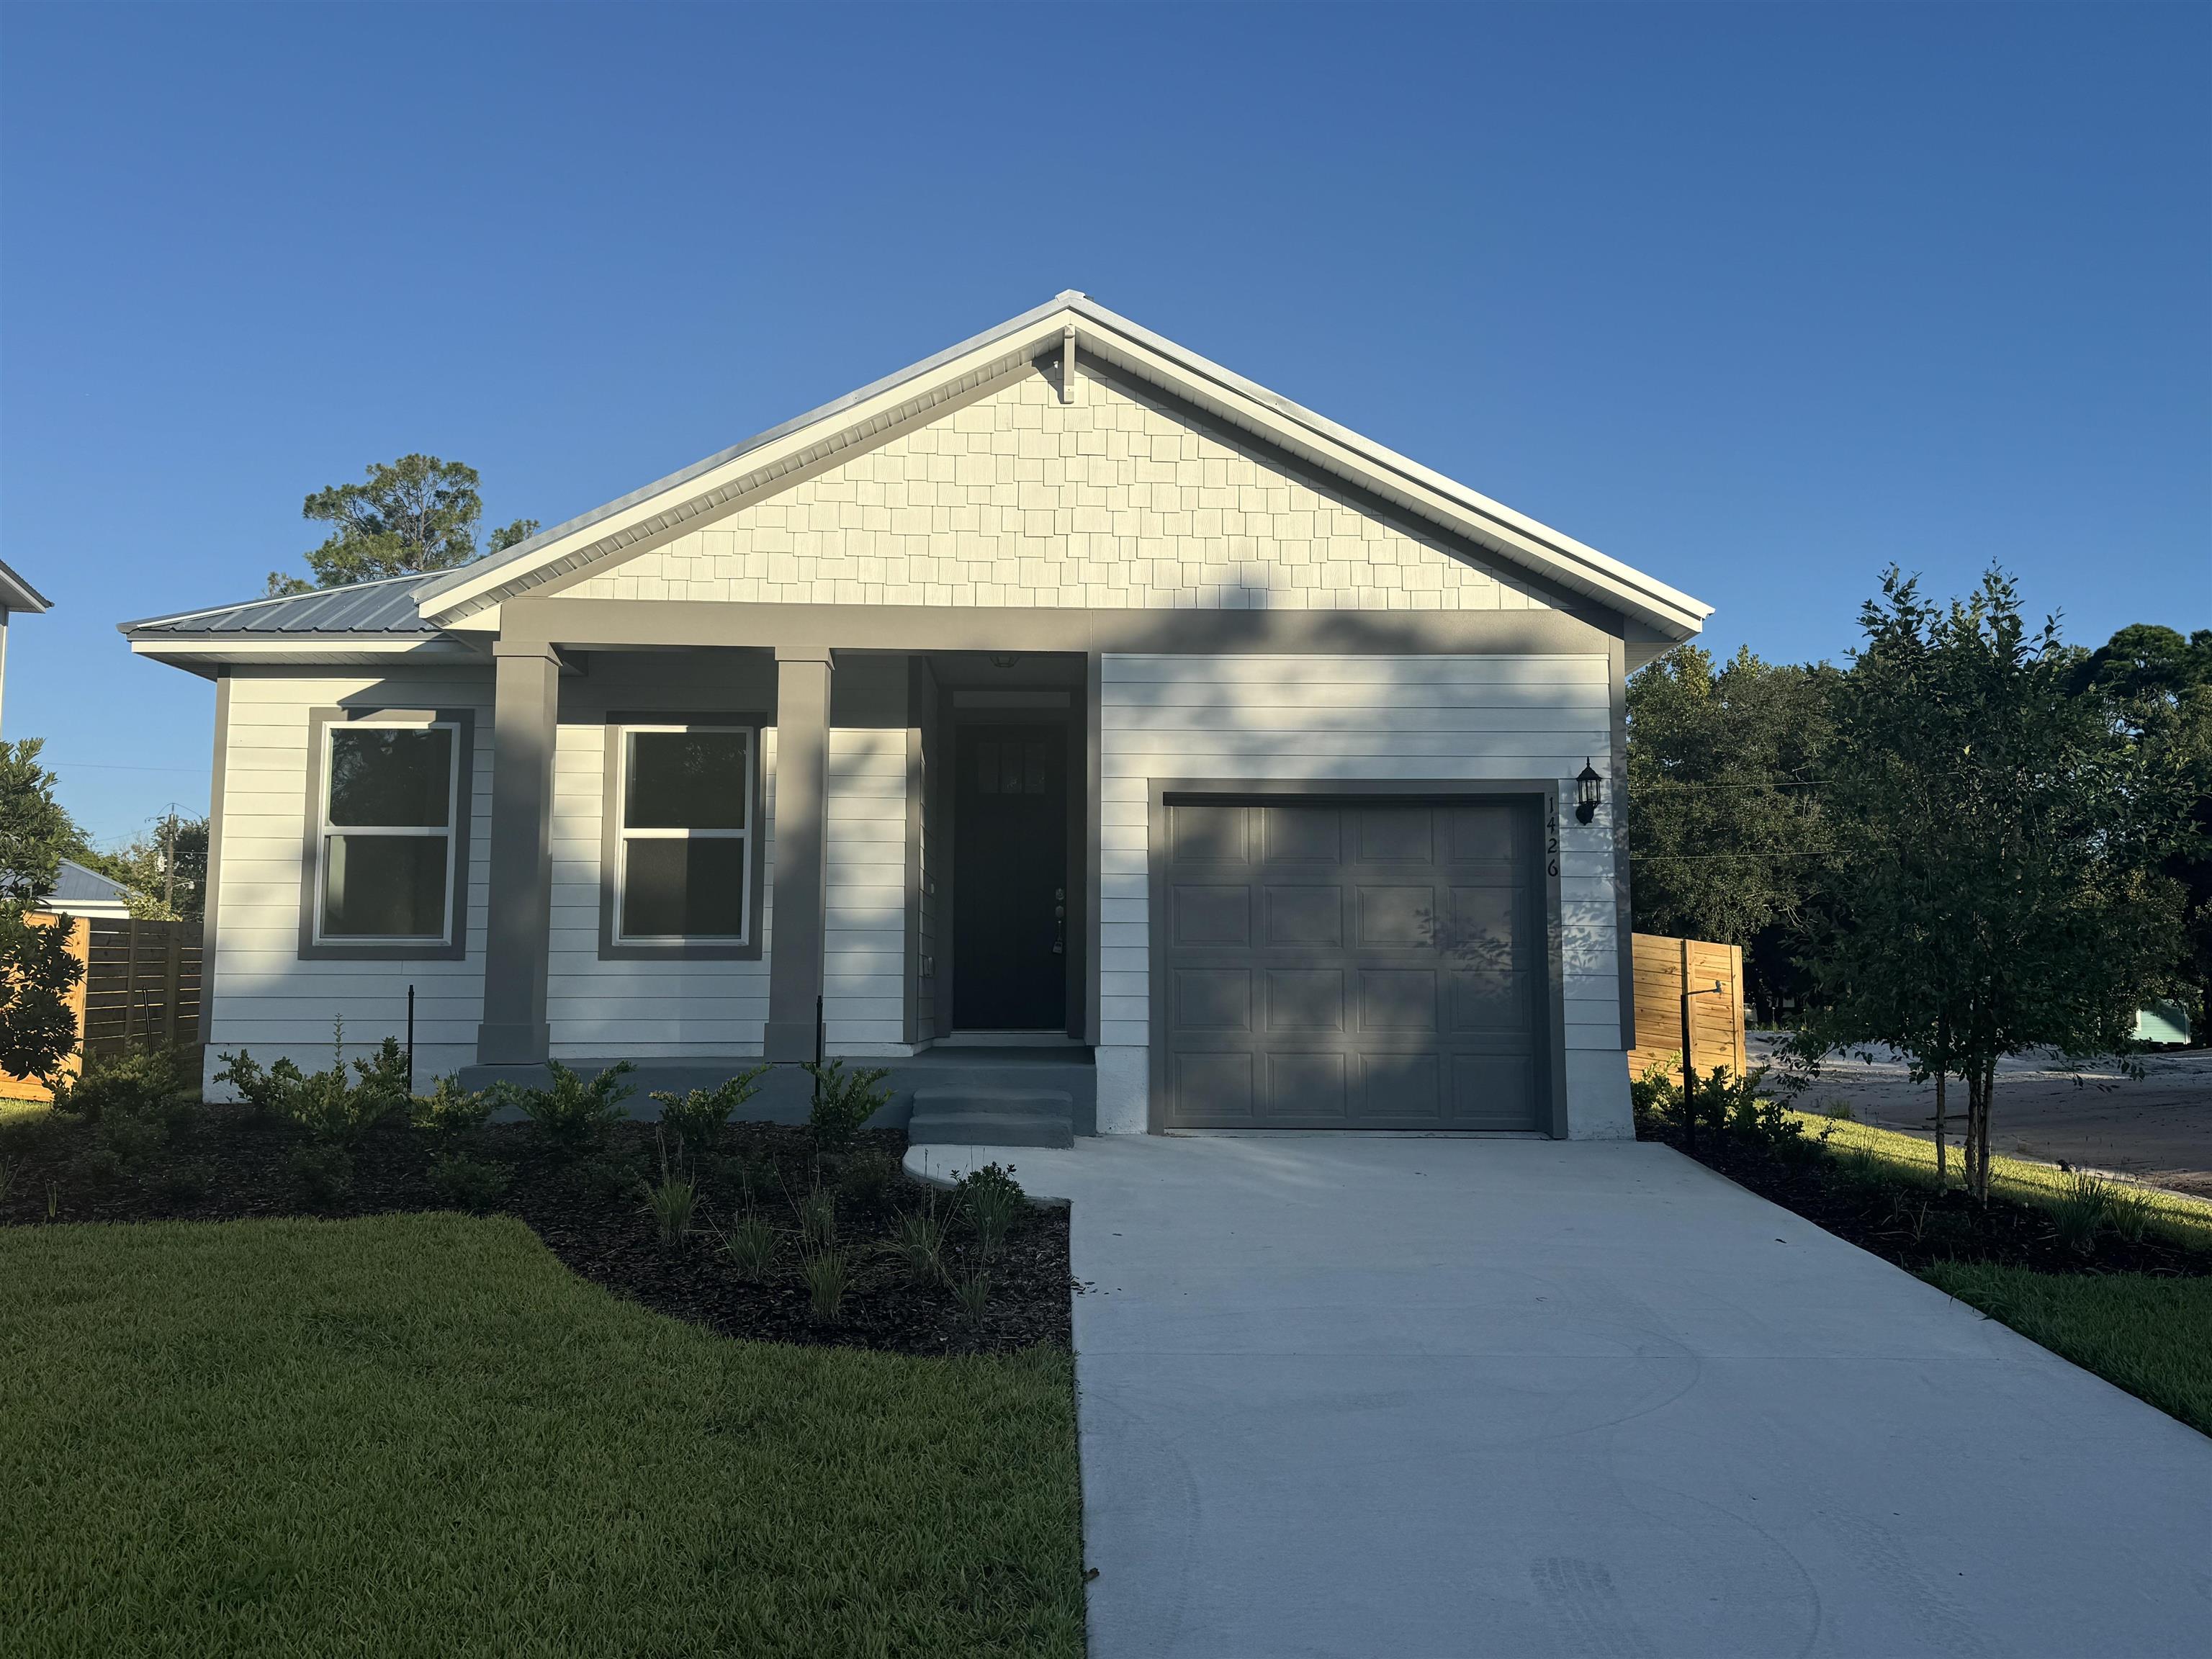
413, 514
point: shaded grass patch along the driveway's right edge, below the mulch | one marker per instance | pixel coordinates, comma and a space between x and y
2153, 1337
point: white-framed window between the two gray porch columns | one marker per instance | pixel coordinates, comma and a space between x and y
685, 835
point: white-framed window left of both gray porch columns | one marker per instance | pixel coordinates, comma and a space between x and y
388, 833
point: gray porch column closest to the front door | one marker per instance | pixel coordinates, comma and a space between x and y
802, 873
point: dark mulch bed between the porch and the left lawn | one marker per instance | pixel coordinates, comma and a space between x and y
225, 1167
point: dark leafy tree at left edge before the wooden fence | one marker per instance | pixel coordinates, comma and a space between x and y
36, 970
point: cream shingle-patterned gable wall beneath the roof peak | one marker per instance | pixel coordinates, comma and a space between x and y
1025, 501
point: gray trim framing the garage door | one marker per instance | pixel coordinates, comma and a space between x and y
1543, 795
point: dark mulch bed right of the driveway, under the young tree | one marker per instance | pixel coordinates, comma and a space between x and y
1917, 1227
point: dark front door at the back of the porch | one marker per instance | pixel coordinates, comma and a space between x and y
1012, 879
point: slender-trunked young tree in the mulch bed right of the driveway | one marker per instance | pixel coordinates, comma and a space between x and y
1996, 846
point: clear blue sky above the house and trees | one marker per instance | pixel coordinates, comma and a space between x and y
1757, 300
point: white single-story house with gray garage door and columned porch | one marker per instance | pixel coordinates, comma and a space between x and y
1067, 722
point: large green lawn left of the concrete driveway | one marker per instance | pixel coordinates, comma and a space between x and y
424, 1437
